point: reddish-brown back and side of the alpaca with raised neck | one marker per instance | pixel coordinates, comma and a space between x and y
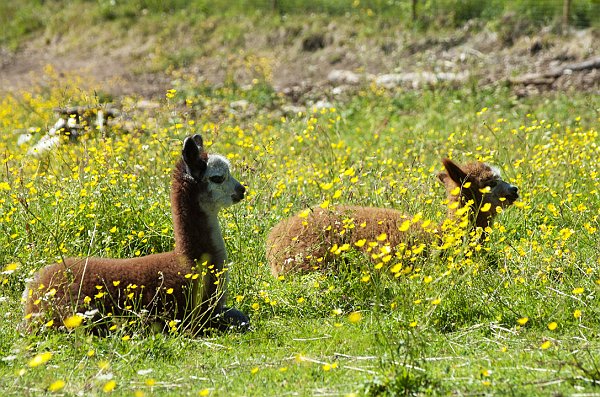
110, 285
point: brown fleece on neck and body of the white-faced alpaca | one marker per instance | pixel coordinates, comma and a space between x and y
158, 282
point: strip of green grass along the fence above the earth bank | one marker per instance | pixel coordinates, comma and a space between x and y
59, 17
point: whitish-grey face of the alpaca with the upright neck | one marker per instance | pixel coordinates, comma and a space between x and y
222, 189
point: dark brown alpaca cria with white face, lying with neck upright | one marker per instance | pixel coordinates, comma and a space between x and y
184, 287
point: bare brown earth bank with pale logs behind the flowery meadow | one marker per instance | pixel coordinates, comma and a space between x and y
329, 56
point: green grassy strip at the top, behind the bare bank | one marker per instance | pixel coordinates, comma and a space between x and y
80, 22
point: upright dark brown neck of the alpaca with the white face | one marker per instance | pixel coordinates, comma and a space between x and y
197, 230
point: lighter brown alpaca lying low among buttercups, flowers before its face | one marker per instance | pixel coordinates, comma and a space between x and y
305, 241
